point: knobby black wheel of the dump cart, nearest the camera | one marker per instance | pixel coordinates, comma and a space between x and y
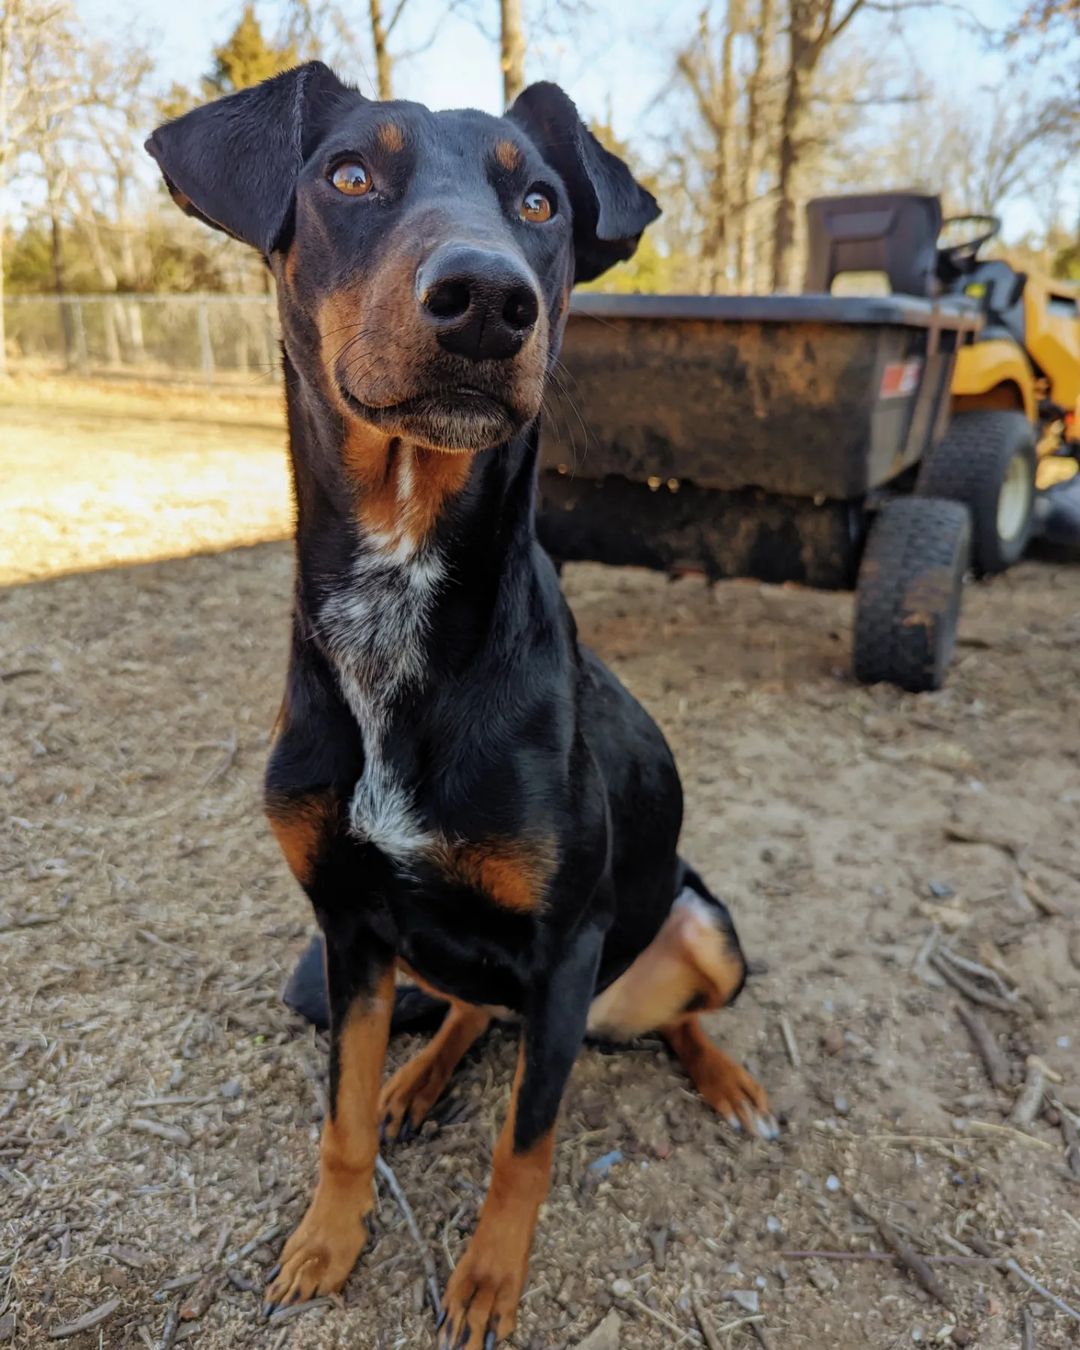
908, 599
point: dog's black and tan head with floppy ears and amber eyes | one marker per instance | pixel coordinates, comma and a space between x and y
425, 260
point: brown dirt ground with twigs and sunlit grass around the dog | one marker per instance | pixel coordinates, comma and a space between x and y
160, 1109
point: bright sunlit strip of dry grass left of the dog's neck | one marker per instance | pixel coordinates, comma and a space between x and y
95, 475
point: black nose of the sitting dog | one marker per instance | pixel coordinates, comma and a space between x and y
481, 303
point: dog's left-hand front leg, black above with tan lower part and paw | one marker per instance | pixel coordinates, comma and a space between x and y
331, 1236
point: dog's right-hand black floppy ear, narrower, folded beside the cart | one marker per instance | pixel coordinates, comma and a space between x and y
611, 207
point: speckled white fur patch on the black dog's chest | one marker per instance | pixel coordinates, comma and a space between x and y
375, 635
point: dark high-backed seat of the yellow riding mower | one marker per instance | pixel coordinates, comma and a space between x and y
892, 233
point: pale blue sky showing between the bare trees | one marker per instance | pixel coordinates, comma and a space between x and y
615, 65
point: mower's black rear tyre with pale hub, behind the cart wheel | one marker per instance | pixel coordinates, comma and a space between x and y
988, 461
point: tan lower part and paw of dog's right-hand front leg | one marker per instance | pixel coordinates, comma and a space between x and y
487, 1286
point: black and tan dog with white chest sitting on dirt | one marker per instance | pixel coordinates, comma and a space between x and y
461, 789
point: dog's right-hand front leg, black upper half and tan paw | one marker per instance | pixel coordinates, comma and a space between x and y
484, 1293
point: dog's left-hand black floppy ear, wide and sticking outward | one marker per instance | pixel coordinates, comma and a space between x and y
234, 163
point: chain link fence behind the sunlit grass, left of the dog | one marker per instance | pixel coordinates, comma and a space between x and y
207, 340
